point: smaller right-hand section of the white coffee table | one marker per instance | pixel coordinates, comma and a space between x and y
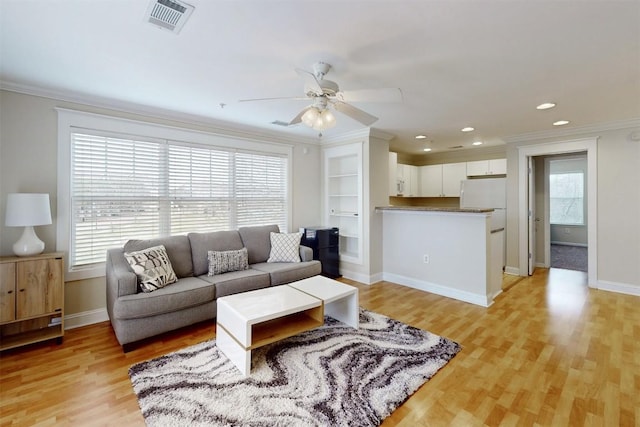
340, 300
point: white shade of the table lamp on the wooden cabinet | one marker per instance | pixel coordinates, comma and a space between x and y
27, 209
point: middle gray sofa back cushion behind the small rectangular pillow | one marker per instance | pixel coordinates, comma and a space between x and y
202, 243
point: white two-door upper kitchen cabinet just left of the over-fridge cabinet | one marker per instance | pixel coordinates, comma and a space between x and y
442, 180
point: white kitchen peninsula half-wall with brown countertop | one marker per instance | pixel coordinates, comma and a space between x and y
446, 251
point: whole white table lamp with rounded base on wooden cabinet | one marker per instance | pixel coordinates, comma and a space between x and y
26, 210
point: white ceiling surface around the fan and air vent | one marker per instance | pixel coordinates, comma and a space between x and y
481, 63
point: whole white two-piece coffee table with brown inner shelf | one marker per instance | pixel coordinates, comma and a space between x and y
252, 319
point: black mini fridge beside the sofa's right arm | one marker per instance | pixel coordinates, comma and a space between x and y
325, 243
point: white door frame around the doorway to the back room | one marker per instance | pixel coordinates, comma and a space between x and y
526, 205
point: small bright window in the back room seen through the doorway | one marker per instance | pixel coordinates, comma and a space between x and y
566, 205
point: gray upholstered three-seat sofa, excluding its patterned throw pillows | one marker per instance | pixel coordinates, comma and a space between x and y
137, 315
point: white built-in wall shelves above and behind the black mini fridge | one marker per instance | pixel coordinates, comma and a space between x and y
343, 197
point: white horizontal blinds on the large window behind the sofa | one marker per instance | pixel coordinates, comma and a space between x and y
135, 188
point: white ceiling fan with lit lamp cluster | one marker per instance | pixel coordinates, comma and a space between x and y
324, 93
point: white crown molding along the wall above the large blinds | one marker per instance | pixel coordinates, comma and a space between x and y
212, 125
